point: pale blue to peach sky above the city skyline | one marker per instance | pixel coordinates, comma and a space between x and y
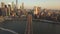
49, 4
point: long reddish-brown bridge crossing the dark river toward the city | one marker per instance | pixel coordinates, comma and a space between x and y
29, 25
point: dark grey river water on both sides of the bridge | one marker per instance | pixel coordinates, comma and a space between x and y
19, 27
